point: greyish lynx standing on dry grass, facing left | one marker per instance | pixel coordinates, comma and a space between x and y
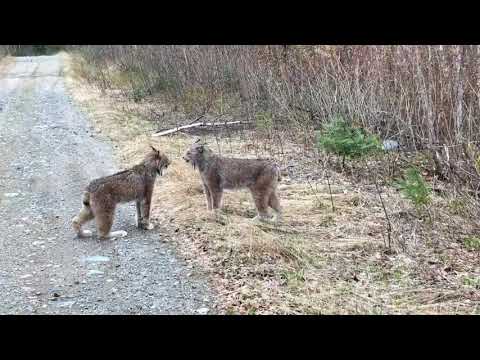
218, 173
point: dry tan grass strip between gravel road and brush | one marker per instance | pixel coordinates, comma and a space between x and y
316, 261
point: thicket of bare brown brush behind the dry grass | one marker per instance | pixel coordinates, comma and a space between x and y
425, 97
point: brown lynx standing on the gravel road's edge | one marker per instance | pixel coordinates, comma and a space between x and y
103, 194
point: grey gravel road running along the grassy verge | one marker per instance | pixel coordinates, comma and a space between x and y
48, 154
